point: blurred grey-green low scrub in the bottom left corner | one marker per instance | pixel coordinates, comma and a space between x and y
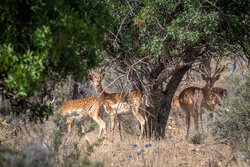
12, 157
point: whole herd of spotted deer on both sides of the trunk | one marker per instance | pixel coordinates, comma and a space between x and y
193, 101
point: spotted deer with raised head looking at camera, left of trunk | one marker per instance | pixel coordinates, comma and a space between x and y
117, 104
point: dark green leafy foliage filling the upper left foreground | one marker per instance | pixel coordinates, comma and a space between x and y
47, 40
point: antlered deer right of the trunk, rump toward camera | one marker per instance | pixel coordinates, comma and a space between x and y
192, 99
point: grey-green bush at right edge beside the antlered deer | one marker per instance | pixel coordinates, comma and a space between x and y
233, 122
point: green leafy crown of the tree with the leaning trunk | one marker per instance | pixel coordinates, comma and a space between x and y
142, 25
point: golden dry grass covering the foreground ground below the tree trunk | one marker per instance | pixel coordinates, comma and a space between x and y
172, 151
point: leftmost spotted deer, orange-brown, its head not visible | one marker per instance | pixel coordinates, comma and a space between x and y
83, 109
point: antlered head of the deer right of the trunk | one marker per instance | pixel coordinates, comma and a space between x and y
206, 73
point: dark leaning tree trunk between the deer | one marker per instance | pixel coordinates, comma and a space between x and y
159, 123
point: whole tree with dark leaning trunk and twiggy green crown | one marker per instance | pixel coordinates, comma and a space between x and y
158, 41
